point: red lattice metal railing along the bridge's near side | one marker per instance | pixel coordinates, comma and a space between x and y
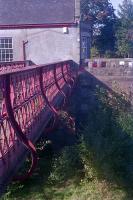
24, 95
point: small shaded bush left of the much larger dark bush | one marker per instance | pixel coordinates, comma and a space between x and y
66, 166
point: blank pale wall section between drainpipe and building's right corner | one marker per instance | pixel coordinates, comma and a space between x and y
52, 45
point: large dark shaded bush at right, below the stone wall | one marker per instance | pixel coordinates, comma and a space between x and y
108, 141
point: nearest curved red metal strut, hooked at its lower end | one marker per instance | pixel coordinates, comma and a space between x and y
19, 133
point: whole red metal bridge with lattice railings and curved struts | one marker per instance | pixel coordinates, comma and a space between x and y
29, 97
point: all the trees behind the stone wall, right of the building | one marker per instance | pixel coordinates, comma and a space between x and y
111, 33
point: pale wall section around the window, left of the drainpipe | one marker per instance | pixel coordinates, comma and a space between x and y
18, 37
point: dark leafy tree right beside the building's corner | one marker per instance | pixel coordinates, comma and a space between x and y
101, 17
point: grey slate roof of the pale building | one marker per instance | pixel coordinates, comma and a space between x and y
36, 11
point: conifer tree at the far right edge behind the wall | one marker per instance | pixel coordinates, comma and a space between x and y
125, 29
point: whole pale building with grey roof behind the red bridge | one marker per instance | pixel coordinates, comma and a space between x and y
42, 31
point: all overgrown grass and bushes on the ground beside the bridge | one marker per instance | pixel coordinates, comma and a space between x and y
100, 167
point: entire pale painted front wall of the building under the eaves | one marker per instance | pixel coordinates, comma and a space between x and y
45, 45
